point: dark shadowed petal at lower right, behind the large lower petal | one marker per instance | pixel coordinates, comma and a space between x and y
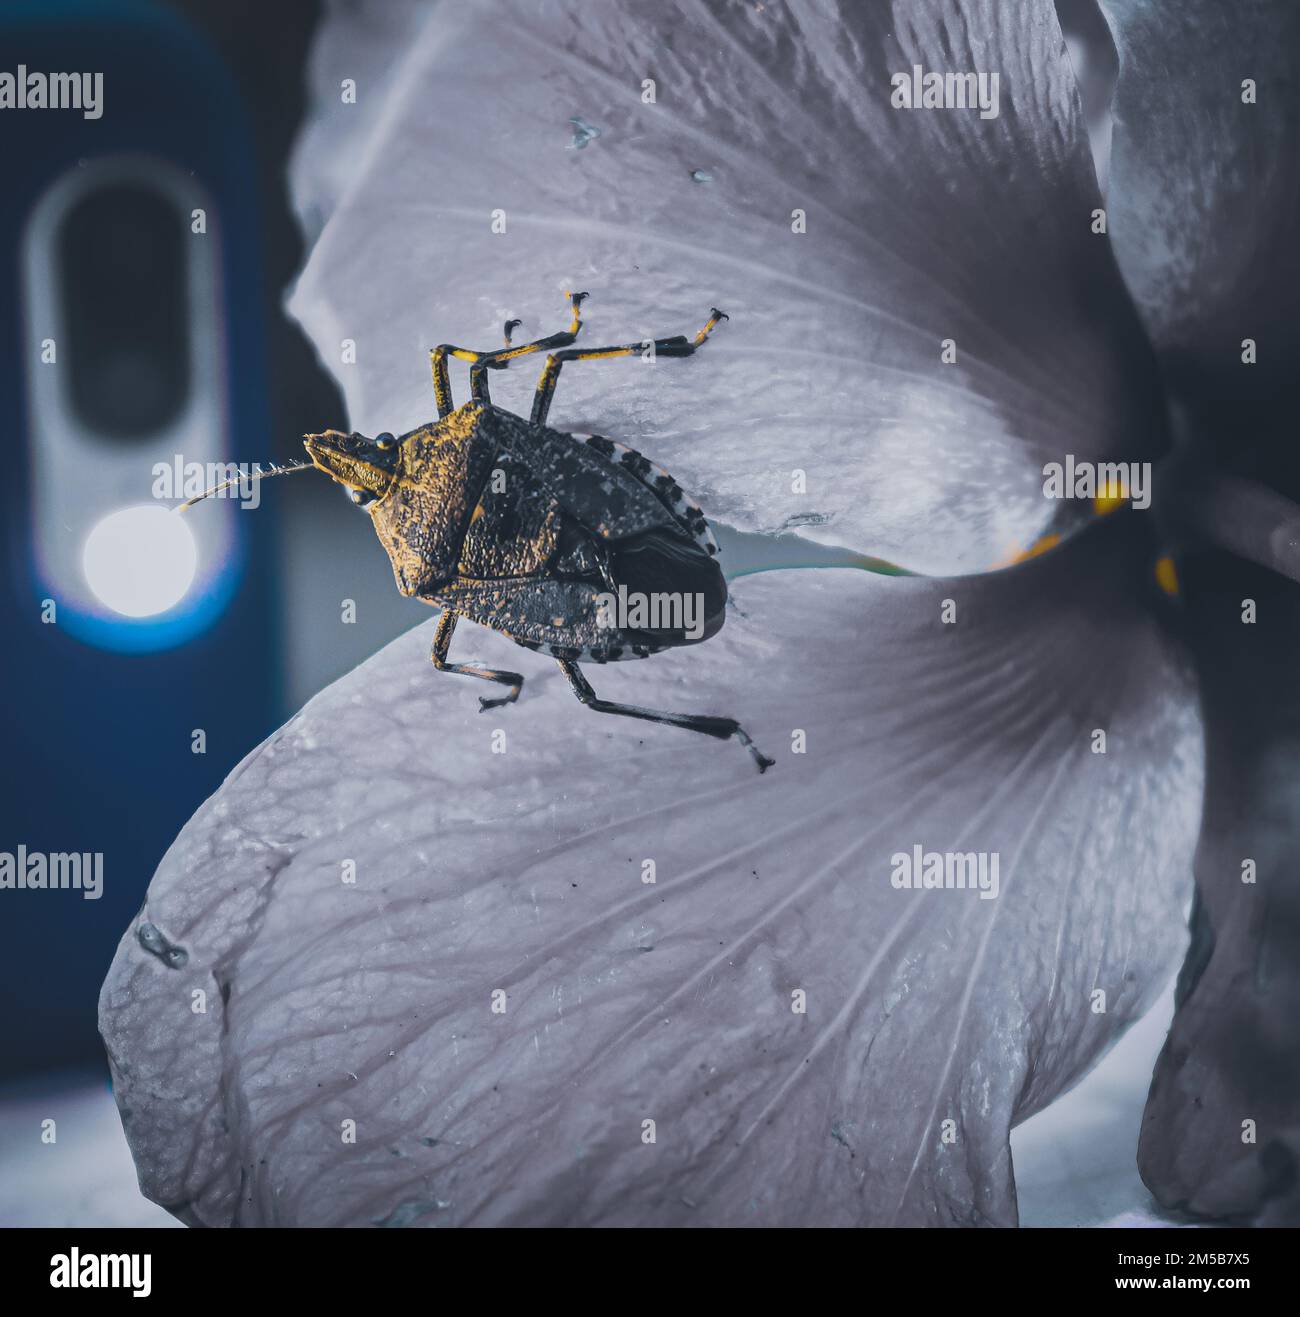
1222, 1131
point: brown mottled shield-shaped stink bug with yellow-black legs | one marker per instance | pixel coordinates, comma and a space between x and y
571, 546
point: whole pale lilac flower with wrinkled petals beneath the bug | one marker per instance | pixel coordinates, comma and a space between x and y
538, 966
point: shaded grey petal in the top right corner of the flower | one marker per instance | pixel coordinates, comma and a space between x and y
1205, 189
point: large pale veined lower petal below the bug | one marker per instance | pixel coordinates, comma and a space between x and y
934, 1019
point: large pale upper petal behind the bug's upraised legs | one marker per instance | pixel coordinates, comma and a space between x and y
921, 227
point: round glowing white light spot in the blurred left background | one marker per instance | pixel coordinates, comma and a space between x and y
140, 560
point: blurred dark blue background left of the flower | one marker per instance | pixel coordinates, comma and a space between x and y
97, 746
